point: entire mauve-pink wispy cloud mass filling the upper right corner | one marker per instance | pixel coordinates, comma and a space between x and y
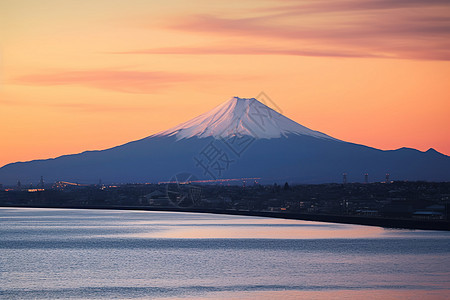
408, 29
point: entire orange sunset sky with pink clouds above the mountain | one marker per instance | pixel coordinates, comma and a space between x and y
84, 75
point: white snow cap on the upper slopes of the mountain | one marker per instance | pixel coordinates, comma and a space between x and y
241, 116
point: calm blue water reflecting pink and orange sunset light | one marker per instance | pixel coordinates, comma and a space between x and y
87, 254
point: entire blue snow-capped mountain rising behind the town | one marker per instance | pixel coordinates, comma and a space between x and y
242, 138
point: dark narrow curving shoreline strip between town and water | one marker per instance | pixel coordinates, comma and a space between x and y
412, 224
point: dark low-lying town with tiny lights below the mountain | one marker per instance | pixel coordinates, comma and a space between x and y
395, 200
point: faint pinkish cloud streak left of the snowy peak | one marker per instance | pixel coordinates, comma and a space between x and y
116, 80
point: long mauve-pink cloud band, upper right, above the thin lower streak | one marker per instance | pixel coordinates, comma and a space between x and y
391, 26
